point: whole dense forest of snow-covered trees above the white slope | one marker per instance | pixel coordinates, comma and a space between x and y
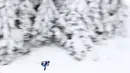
74, 25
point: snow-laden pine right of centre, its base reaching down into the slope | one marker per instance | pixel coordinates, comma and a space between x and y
78, 40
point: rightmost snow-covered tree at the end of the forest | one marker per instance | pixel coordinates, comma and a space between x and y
113, 17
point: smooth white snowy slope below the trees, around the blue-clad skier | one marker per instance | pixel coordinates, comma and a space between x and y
111, 57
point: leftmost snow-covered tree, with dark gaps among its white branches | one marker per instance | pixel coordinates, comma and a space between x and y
15, 23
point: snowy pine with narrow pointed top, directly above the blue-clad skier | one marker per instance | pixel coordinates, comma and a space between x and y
44, 22
